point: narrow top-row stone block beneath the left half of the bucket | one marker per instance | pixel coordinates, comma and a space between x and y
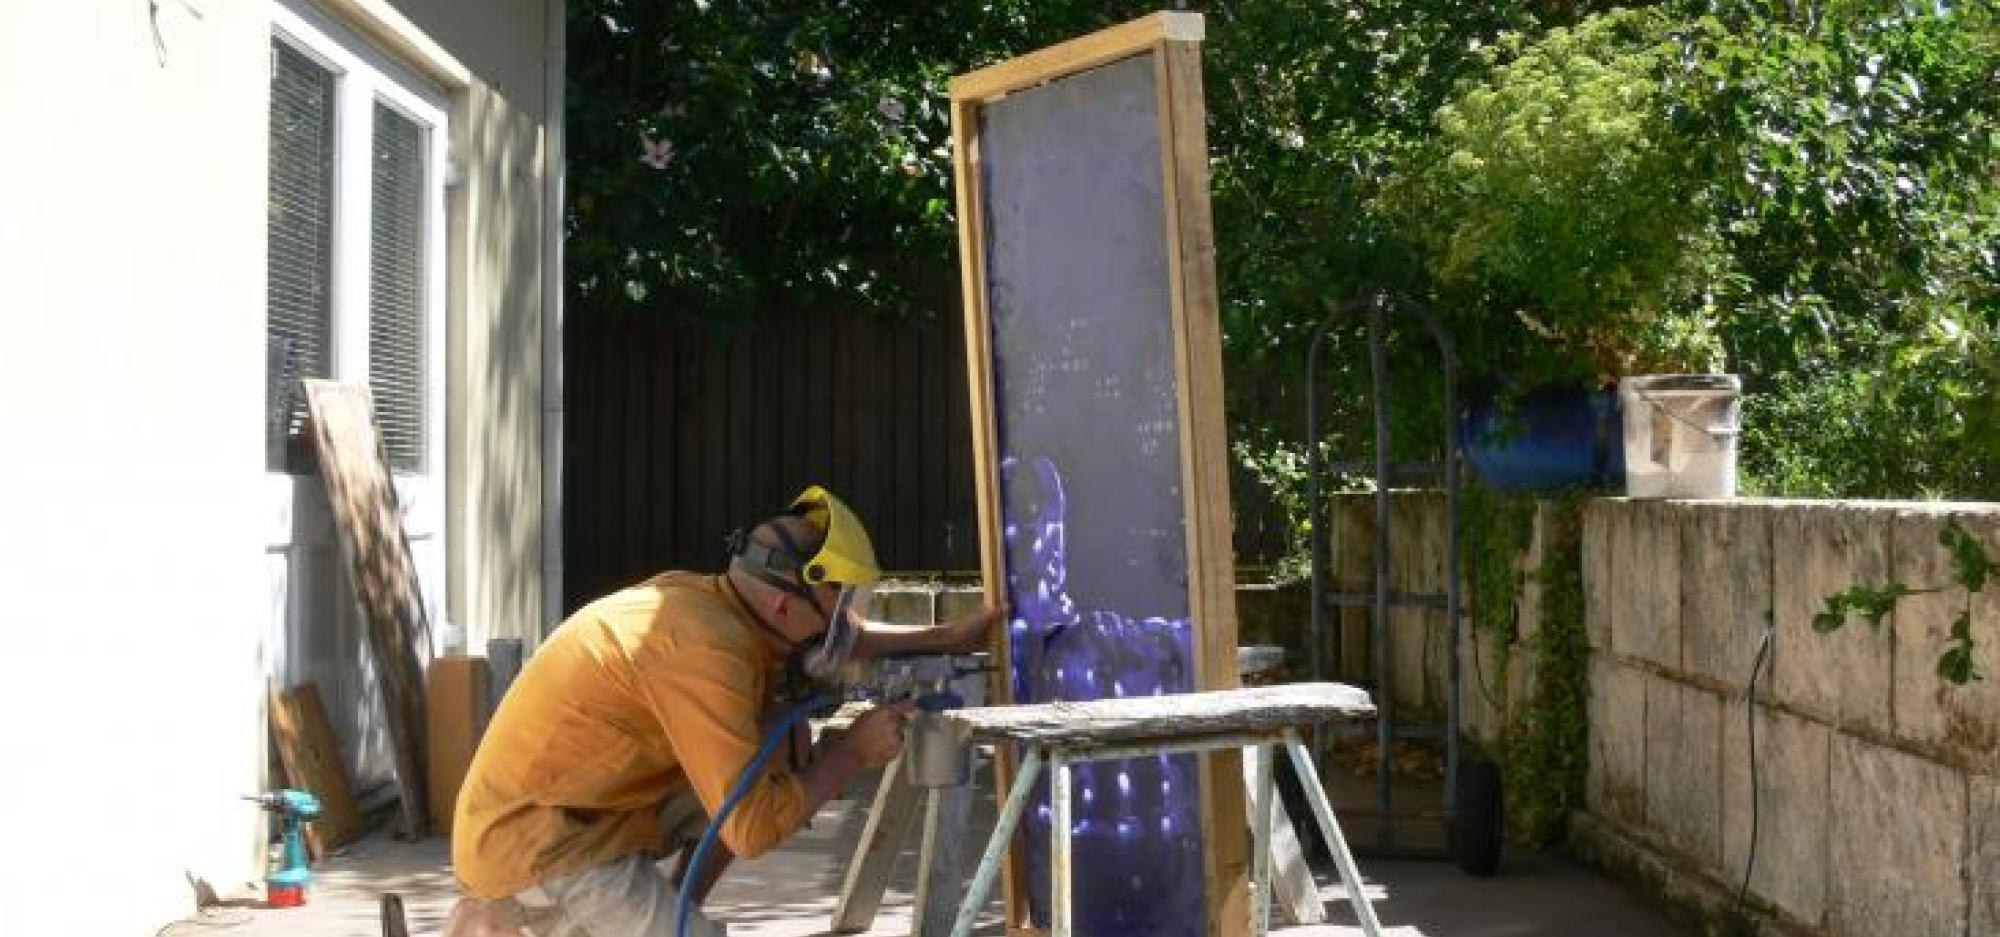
1647, 584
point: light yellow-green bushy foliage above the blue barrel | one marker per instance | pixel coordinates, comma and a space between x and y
1555, 207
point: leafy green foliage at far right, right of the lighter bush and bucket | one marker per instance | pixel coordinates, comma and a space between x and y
1857, 163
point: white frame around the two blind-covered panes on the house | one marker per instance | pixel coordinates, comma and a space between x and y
365, 75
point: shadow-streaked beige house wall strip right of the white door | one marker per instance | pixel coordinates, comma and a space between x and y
497, 345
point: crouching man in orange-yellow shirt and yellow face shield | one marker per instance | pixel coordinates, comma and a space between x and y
629, 728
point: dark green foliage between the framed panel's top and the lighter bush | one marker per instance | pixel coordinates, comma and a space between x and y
1315, 105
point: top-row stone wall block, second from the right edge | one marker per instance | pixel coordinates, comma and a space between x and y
1817, 552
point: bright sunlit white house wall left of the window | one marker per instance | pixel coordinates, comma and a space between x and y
133, 369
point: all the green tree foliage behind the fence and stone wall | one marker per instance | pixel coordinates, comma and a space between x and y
1805, 191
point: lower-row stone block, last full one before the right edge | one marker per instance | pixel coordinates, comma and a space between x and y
1897, 842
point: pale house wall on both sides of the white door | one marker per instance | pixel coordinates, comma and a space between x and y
135, 590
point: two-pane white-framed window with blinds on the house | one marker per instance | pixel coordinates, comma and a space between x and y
353, 259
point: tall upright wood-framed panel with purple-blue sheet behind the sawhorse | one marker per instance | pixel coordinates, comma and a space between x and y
1101, 457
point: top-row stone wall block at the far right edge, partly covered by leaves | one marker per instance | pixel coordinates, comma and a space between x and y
1931, 710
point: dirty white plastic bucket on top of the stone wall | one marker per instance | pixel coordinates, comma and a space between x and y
1681, 435
